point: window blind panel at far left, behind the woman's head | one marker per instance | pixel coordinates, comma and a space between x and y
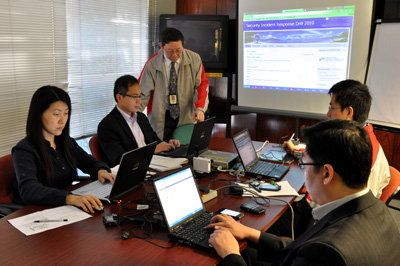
32, 54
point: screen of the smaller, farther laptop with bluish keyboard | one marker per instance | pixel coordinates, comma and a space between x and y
245, 148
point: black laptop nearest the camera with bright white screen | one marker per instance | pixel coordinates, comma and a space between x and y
183, 209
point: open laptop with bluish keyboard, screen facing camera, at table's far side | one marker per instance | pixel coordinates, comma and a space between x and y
251, 164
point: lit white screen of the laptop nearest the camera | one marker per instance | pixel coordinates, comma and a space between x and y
179, 197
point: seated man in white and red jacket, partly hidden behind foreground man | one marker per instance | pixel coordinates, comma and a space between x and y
350, 100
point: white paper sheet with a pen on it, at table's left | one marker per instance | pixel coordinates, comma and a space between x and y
41, 221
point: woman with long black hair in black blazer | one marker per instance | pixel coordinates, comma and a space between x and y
46, 160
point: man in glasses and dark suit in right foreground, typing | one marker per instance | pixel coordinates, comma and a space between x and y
352, 227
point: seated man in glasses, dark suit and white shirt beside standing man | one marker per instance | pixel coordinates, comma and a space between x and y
124, 128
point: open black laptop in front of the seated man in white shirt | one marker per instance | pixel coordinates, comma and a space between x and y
198, 142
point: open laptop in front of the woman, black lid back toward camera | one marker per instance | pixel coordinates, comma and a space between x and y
131, 173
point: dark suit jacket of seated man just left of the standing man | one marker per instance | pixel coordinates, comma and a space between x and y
115, 137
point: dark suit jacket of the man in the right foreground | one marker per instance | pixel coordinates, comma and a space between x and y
360, 232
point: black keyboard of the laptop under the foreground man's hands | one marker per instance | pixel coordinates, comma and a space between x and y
193, 231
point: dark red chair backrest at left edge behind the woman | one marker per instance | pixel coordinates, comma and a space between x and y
7, 177
